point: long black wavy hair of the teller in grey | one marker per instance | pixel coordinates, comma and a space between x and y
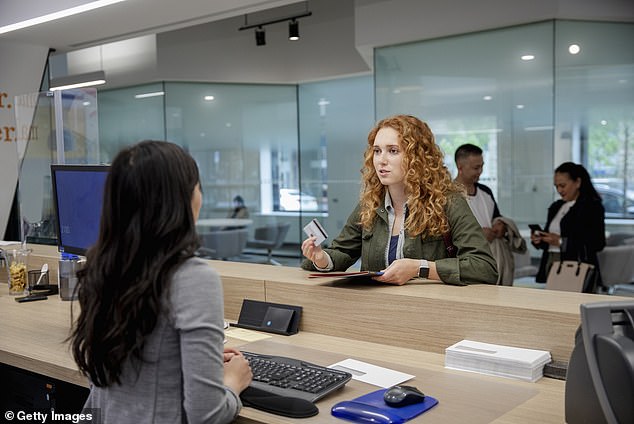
147, 229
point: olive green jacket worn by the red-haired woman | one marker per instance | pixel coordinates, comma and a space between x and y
472, 264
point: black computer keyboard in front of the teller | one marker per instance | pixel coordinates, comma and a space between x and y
294, 378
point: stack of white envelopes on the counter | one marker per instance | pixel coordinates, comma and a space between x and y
503, 361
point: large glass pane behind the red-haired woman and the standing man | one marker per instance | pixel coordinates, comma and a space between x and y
493, 89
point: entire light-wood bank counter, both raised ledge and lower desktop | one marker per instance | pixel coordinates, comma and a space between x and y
405, 328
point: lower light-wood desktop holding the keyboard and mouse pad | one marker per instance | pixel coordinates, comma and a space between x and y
33, 338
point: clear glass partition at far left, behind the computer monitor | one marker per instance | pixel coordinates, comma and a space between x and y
42, 142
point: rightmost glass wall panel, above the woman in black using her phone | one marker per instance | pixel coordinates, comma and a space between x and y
594, 81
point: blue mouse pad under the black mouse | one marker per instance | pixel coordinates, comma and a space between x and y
371, 408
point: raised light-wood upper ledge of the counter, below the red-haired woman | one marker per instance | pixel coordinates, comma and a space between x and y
432, 315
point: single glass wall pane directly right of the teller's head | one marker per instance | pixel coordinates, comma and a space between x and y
244, 138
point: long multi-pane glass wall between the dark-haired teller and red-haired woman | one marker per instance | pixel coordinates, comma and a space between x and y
246, 140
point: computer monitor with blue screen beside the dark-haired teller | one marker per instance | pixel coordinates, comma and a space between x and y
78, 199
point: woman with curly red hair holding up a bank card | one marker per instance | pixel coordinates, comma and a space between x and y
410, 216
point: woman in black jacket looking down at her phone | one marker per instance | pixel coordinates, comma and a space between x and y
575, 227
